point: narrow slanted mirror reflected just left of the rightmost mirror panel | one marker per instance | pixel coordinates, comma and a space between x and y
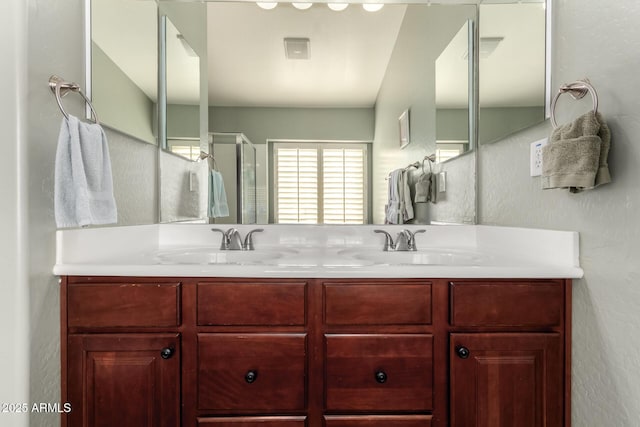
452, 97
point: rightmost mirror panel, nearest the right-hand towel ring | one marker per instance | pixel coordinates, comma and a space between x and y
512, 68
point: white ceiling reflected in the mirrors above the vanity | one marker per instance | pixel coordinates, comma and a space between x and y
349, 52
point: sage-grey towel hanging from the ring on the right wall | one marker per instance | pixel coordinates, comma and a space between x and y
576, 156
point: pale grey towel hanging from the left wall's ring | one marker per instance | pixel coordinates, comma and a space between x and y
83, 186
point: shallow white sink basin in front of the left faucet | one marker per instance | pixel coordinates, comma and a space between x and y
215, 256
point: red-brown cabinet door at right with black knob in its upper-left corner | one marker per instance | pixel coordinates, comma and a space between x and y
506, 380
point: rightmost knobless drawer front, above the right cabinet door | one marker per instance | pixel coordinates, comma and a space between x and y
506, 303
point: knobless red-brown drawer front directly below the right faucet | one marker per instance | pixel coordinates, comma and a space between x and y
377, 304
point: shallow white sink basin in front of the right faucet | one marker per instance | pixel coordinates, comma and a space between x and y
424, 257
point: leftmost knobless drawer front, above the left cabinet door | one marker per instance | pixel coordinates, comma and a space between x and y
123, 305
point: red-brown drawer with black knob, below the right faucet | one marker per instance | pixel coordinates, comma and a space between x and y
379, 372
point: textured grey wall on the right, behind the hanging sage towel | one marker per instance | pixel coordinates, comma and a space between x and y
599, 42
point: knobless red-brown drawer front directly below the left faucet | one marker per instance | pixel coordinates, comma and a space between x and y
256, 303
